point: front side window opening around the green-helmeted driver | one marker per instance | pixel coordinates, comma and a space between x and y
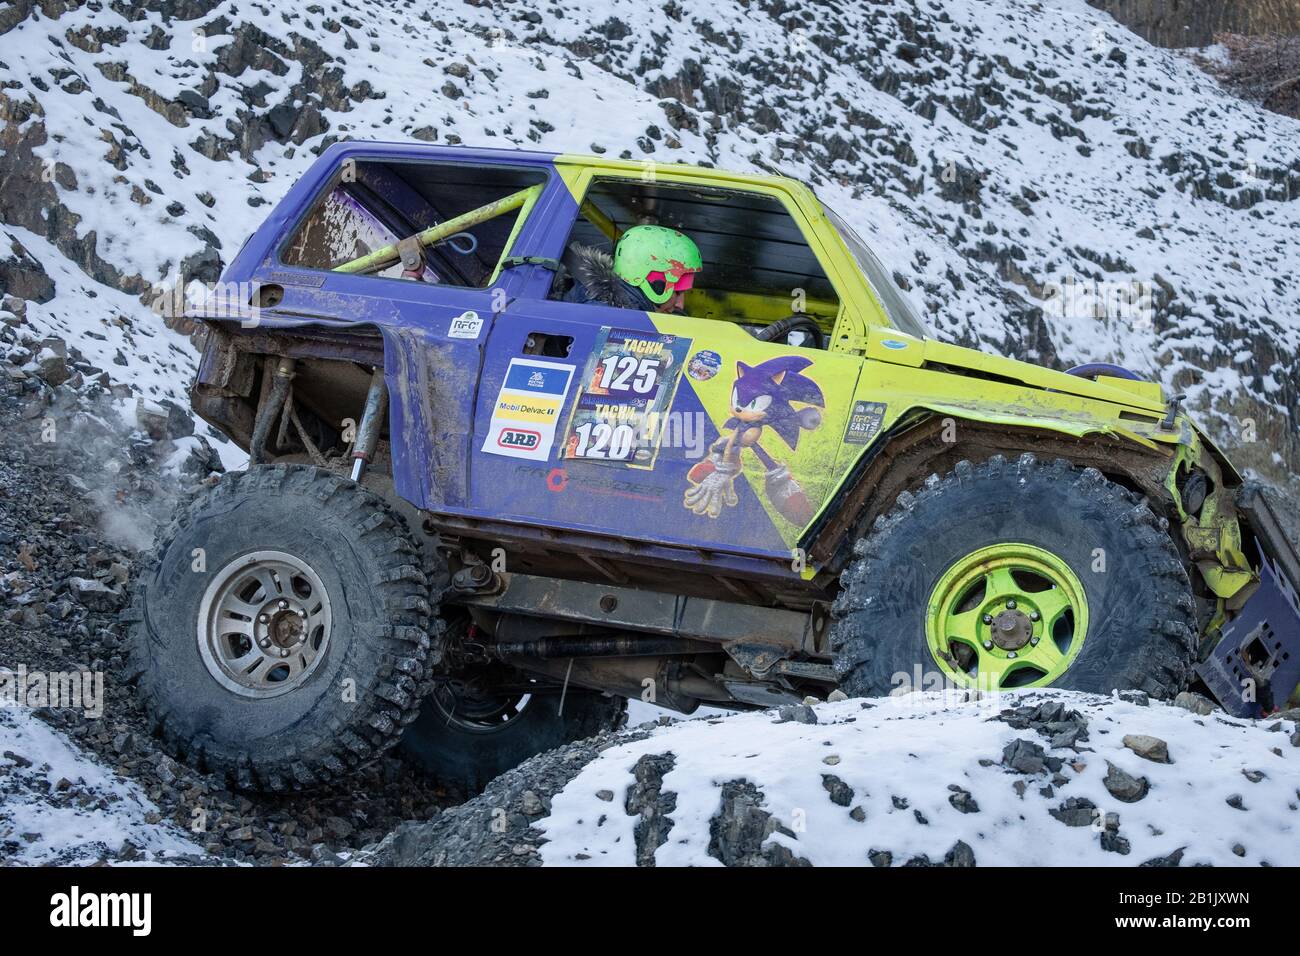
759, 270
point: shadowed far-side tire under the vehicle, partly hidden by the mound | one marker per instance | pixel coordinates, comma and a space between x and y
470, 760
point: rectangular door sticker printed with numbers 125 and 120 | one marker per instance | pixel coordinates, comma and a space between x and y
626, 395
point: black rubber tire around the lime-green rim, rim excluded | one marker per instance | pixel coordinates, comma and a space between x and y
1141, 626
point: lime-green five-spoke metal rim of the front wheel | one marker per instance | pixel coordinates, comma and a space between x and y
1007, 616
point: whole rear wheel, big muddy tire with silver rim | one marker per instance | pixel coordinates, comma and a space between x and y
283, 629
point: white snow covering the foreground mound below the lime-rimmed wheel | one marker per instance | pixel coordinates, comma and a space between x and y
915, 747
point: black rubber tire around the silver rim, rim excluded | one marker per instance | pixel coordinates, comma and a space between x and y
374, 671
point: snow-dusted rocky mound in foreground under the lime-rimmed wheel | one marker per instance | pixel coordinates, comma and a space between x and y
1032, 778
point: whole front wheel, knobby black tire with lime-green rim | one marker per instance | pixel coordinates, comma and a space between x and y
1016, 576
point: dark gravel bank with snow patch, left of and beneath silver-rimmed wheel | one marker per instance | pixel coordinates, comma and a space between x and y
81, 488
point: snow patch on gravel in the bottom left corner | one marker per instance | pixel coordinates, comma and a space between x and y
85, 821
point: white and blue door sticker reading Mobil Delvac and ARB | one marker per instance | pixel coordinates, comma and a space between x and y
528, 409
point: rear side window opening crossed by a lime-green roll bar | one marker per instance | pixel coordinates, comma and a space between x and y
436, 223
